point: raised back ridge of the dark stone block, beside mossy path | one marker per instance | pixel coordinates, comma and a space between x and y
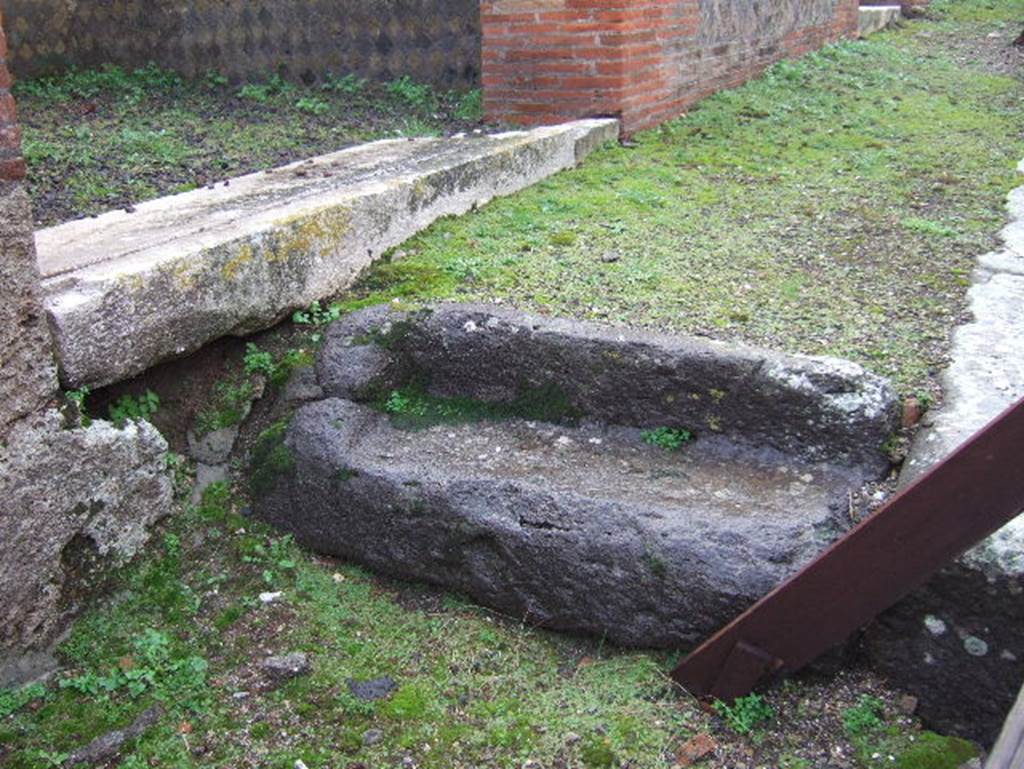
818, 408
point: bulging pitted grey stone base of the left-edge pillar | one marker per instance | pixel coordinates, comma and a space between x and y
76, 502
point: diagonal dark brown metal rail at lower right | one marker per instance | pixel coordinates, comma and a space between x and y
961, 501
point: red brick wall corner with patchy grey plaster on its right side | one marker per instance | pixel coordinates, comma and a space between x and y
645, 62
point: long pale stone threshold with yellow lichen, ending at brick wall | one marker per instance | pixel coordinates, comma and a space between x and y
125, 291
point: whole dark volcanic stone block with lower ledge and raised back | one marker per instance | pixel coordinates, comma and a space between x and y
554, 508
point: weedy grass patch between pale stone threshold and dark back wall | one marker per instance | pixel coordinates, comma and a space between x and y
98, 140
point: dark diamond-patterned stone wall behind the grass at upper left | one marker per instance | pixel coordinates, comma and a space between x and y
436, 41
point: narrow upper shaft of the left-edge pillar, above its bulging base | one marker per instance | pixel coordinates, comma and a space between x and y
28, 377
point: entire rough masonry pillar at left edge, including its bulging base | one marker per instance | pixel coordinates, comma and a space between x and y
73, 501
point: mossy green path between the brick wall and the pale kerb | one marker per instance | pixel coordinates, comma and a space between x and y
835, 206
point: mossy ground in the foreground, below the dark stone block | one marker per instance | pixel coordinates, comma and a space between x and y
186, 630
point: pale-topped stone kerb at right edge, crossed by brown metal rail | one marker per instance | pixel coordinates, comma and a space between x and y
964, 631
